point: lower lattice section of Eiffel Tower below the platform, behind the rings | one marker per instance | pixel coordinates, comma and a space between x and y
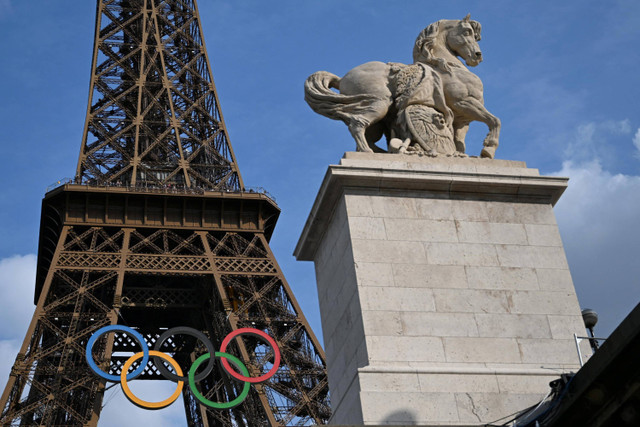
232, 282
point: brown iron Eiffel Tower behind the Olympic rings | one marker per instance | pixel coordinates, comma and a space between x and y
157, 230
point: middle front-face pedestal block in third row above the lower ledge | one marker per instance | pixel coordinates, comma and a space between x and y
471, 301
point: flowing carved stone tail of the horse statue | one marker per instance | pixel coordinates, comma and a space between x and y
336, 106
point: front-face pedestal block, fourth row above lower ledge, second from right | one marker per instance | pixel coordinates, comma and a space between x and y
506, 278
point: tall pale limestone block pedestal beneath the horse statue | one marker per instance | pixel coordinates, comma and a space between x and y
444, 290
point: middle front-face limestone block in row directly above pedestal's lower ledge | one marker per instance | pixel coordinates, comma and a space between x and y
485, 350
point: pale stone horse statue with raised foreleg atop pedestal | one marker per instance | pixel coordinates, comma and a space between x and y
428, 104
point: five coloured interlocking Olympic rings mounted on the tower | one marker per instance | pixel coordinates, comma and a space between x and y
178, 377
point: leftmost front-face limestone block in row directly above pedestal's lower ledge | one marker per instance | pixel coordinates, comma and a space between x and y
392, 348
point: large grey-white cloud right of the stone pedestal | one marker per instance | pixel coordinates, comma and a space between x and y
598, 219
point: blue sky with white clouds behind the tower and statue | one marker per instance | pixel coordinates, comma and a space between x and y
562, 77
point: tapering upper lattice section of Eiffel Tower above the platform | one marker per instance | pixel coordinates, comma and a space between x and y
154, 116
